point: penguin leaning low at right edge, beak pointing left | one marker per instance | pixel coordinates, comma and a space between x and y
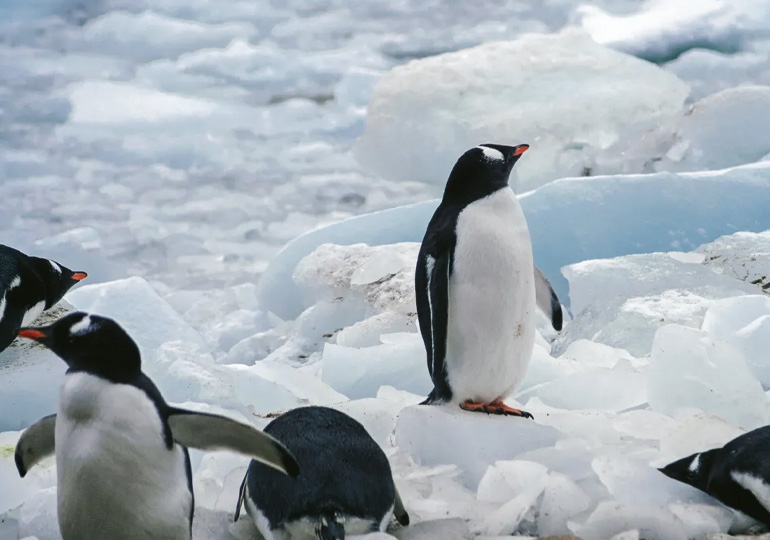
738, 474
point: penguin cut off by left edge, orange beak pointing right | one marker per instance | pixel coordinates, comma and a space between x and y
29, 285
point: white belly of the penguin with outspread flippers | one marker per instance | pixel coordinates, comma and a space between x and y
117, 479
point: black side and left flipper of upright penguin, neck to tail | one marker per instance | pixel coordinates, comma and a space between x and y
434, 268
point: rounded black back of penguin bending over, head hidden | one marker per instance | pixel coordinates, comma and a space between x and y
342, 470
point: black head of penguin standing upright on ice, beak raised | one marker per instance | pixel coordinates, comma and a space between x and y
482, 170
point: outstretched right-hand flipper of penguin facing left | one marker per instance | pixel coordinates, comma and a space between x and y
212, 432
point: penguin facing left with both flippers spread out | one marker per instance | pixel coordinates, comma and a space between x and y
122, 463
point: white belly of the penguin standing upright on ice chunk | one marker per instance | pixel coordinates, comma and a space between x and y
491, 329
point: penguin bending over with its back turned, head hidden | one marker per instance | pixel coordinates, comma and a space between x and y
346, 486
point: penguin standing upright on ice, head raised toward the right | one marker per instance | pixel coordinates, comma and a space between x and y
476, 286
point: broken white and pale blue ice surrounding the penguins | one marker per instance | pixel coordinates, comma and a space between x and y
179, 151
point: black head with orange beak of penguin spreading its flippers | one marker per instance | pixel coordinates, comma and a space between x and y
90, 343
